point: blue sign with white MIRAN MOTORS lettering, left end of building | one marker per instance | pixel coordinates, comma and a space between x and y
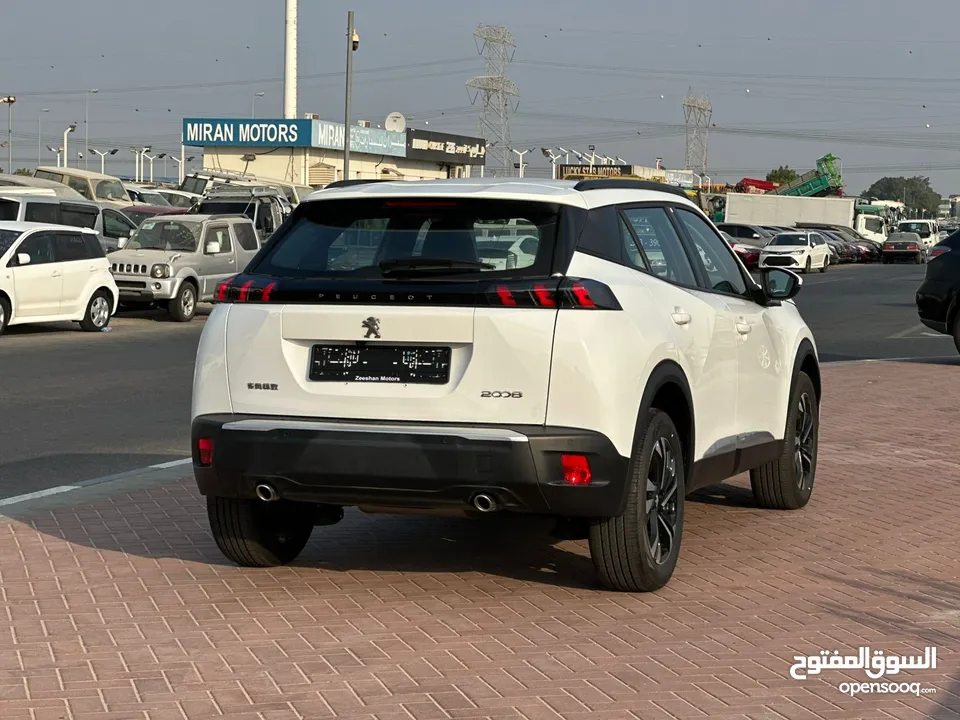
234, 132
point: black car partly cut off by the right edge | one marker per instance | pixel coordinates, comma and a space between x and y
938, 297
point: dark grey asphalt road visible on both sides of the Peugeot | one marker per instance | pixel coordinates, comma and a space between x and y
78, 406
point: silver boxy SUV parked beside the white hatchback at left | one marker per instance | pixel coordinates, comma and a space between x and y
178, 260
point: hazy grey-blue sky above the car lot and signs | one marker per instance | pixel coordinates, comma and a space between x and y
871, 82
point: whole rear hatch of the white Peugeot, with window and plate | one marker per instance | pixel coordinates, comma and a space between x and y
376, 309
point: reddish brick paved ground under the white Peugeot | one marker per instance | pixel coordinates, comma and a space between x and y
123, 608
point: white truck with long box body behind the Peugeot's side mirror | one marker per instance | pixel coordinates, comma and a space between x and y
769, 209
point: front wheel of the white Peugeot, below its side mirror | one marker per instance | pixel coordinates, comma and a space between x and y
778, 485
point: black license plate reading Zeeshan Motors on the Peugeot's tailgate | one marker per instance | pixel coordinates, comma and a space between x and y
377, 363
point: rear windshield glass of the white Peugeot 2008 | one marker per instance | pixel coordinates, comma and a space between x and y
353, 237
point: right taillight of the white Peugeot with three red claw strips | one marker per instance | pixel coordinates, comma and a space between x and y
565, 294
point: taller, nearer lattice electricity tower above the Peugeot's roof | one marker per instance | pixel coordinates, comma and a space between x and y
496, 44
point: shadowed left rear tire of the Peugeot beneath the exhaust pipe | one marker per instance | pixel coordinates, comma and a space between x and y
253, 533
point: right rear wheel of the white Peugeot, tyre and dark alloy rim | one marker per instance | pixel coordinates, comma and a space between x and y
621, 546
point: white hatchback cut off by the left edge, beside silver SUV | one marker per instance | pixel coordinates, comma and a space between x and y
54, 273
